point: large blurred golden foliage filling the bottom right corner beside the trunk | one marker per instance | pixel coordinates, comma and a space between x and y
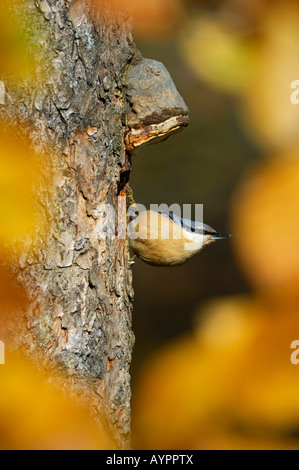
228, 385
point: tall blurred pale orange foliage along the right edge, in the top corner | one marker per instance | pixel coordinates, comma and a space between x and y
268, 113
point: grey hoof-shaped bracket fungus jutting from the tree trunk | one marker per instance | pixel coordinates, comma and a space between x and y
155, 109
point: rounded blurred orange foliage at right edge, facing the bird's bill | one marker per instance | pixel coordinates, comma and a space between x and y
266, 226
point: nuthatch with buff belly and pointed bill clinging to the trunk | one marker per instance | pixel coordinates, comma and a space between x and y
162, 238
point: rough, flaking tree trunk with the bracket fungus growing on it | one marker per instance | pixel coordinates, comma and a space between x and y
85, 125
